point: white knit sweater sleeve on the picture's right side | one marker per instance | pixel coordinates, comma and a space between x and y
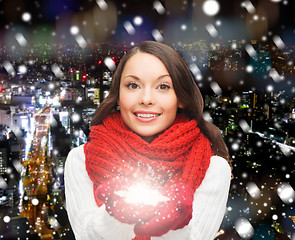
209, 204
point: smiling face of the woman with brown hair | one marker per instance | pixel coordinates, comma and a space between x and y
147, 99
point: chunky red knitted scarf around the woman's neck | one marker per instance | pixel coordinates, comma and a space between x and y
179, 154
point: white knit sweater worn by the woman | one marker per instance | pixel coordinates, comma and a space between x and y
90, 222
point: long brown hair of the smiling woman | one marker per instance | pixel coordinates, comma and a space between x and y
184, 85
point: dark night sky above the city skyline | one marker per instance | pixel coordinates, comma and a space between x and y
184, 21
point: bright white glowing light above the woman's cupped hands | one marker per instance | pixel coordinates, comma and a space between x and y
142, 193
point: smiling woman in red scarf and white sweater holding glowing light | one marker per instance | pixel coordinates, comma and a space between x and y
150, 130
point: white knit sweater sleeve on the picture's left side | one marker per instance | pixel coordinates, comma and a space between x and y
88, 221
